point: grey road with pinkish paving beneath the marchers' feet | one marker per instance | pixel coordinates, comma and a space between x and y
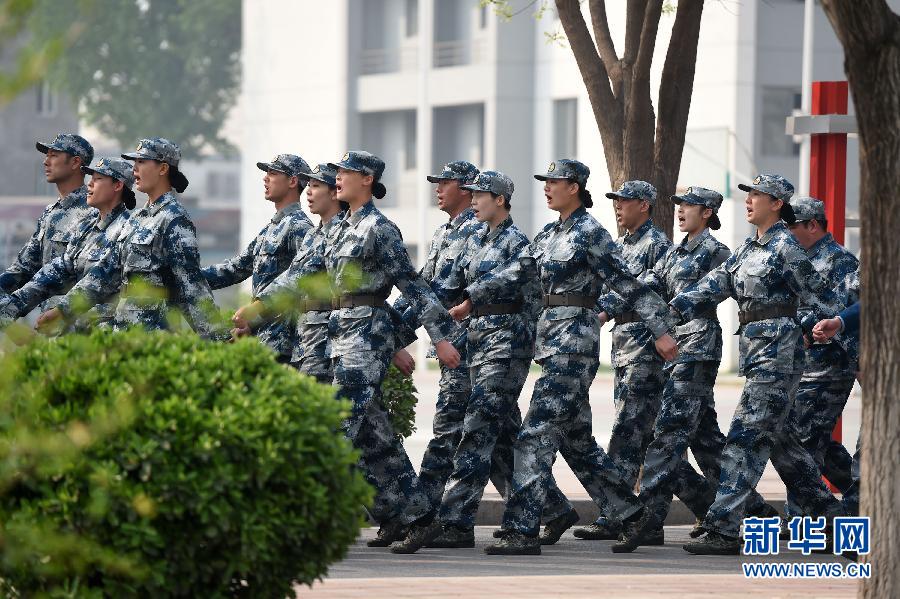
571, 568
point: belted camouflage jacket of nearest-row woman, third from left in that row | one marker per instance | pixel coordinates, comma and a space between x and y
574, 256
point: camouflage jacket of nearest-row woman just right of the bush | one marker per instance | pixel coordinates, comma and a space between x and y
365, 255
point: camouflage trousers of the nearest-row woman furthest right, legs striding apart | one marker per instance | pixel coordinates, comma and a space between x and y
759, 433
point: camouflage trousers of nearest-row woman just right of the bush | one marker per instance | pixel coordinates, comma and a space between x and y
383, 460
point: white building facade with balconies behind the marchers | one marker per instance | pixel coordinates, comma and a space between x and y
423, 82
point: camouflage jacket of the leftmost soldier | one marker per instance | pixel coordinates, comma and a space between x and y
56, 227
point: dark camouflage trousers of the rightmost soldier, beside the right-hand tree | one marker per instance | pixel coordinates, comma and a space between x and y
816, 410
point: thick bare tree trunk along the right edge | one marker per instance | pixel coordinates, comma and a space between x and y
870, 34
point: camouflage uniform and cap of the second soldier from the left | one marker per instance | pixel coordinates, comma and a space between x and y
86, 248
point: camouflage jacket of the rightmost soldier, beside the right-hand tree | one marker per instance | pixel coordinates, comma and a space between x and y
838, 358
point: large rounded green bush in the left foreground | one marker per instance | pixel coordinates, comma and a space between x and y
230, 476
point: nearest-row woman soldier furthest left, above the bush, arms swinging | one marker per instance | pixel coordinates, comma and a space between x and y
155, 260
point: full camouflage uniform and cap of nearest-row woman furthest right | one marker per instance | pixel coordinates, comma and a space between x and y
767, 276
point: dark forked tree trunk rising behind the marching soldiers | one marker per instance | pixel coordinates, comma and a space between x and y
619, 91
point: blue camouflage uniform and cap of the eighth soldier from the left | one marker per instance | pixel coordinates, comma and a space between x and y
500, 345
